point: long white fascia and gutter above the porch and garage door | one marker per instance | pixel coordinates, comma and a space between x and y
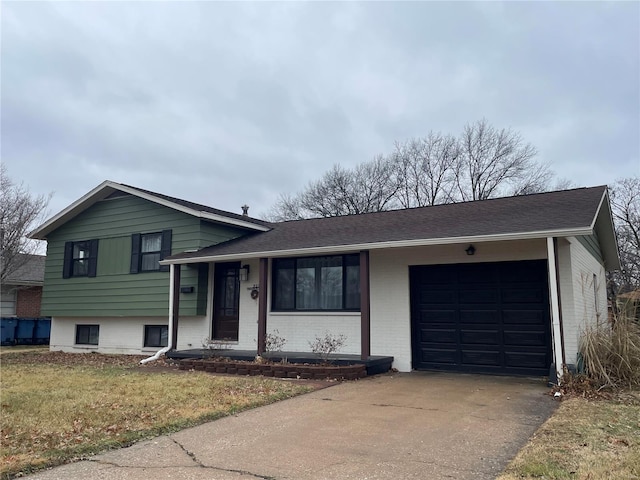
382, 245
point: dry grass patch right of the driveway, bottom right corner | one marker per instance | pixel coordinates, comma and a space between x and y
584, 440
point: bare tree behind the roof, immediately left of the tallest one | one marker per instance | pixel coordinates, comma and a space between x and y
425, 168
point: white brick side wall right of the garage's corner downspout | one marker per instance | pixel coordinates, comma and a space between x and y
578, 288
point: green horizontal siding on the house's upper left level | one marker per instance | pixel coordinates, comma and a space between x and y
114, 291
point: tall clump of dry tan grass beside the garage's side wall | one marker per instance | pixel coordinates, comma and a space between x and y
611, 353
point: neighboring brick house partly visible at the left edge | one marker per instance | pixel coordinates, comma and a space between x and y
21, 293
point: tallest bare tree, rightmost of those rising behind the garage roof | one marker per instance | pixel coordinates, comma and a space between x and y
496, 162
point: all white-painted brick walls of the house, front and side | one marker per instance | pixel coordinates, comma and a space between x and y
390, 307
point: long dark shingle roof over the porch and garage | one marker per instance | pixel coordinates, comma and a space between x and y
544, 212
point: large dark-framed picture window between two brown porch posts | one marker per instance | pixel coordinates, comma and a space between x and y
317, 283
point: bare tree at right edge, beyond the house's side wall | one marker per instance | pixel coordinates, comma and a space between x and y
625, 205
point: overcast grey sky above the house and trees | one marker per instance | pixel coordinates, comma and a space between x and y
232, 103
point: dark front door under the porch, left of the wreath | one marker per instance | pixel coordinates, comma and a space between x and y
226, 301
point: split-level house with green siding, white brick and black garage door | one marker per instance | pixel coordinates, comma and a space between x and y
500, 286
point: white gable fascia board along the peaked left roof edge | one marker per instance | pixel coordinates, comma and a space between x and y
107, 187
